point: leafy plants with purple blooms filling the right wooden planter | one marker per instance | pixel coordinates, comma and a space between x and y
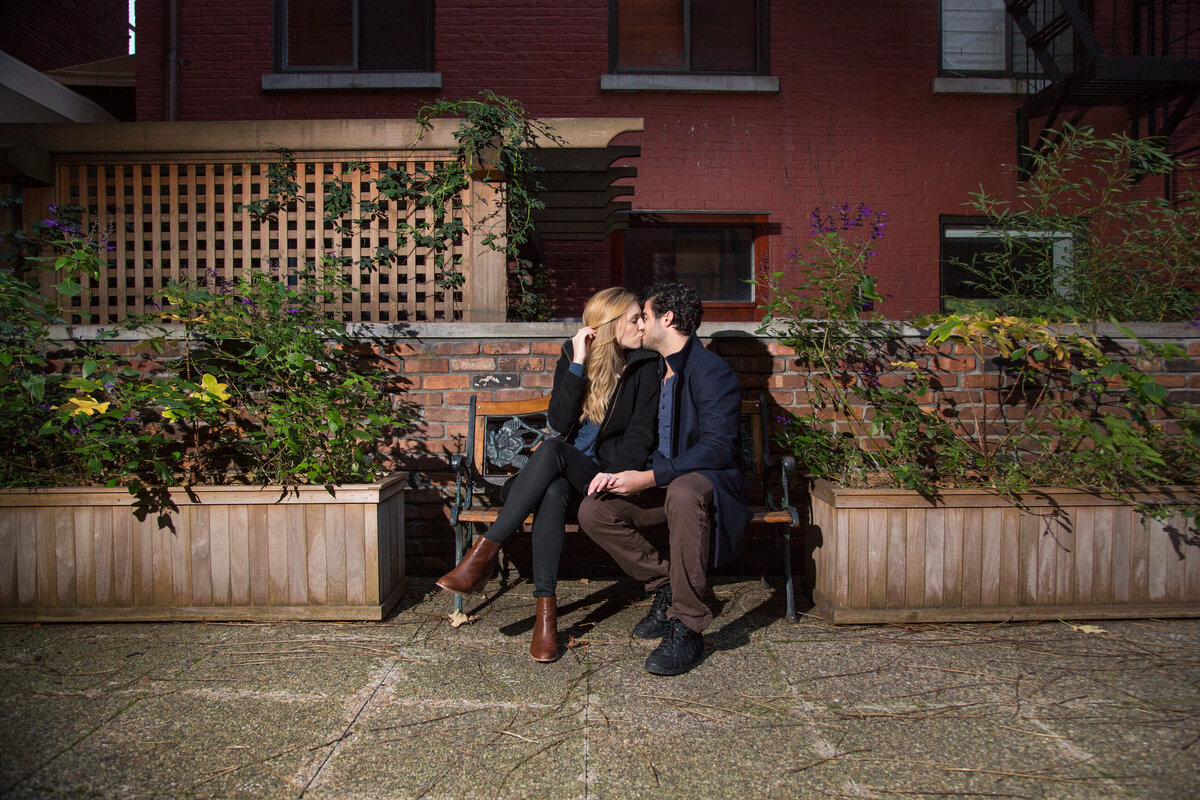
1053, 406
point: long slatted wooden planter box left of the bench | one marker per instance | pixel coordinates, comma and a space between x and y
77, 555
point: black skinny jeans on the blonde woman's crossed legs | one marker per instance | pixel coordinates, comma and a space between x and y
555, 480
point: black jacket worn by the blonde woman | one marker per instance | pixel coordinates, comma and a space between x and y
629, 430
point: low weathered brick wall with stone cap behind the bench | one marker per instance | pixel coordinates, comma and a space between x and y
440, 366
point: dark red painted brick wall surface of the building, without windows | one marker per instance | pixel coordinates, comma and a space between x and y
856, 118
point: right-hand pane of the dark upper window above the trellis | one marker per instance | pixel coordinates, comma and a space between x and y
394, 35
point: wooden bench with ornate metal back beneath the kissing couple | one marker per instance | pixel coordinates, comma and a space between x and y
503, 434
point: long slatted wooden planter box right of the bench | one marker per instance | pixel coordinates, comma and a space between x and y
890, 556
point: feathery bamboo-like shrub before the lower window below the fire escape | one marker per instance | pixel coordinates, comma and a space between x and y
1132, 256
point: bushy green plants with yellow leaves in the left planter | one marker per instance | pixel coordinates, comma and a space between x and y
251, 383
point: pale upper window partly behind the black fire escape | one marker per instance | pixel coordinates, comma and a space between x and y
980, 39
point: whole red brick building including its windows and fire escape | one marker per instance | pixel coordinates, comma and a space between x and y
754, 112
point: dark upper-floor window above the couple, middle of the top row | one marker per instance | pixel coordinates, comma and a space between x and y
689, 37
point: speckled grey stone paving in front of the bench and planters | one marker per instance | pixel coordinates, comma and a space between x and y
415, 708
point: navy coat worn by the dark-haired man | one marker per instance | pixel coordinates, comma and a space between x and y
706, 438
